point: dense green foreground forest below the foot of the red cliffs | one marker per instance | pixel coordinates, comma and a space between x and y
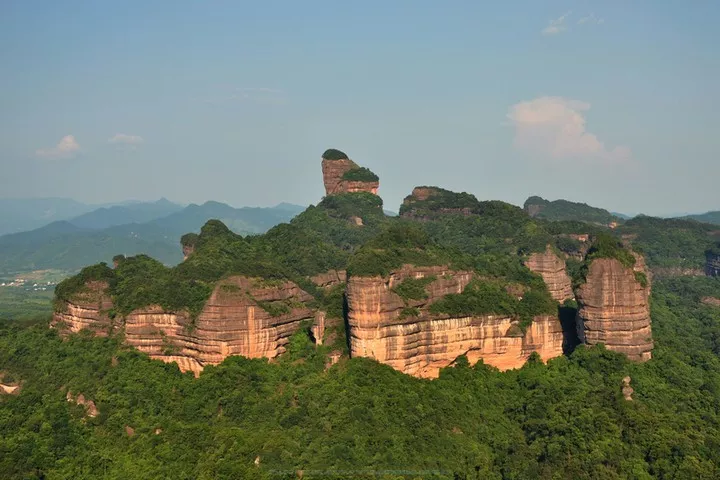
360, 419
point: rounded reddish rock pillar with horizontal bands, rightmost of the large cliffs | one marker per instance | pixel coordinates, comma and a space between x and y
614, 309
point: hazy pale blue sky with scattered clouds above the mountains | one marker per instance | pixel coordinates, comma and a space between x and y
612, 103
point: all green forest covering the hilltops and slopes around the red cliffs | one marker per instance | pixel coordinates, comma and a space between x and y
298, 416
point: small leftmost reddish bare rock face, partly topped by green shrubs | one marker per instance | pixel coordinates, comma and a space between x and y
89, 310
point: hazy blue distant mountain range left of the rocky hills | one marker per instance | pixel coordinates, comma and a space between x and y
152, 228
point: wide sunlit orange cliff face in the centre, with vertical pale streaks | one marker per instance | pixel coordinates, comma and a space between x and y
421, 344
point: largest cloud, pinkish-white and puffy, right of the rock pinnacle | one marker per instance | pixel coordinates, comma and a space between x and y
555, 127
